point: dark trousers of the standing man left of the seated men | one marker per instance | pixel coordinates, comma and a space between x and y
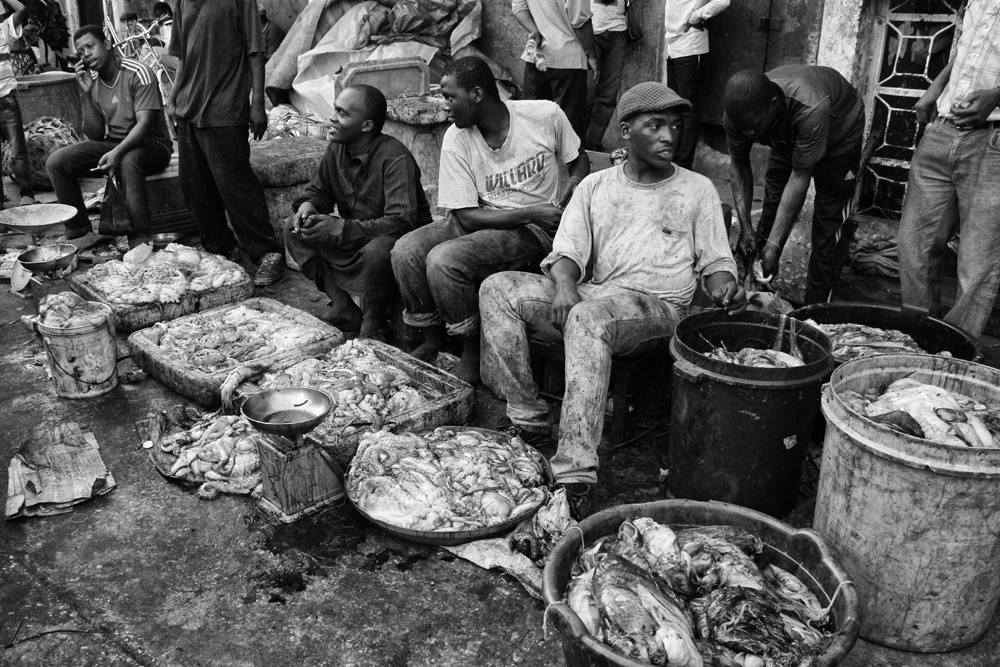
217, 179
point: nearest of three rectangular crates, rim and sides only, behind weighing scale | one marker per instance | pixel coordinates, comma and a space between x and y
453, 405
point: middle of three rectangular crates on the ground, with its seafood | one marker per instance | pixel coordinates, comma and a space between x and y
195, 354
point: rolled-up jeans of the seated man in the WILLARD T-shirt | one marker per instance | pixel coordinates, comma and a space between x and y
439, 267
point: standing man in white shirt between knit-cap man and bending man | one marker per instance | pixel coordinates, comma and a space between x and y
686, 41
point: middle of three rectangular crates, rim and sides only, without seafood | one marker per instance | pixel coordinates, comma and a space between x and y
203, 386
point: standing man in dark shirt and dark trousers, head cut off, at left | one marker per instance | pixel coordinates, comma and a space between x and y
221, 51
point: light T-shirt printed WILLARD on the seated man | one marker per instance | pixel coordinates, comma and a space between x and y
524, 171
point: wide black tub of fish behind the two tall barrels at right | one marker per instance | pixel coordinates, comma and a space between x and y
858, 330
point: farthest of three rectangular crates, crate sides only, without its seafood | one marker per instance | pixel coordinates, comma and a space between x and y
130, 318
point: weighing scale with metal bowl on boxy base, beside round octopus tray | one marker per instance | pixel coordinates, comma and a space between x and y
299, 477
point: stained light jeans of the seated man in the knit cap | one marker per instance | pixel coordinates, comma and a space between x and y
609, 321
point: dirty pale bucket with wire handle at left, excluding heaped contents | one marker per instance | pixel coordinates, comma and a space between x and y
83, 361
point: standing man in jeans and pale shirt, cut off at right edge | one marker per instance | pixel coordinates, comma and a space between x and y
955, 178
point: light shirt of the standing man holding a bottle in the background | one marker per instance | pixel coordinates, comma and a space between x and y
557, 20
